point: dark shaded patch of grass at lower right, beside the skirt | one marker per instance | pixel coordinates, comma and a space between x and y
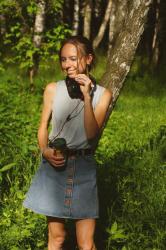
134, 188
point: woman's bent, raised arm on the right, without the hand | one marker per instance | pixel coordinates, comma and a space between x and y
93, 120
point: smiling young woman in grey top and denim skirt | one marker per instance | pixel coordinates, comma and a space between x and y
68, 190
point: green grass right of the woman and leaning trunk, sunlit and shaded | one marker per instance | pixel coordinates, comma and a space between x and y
132, 160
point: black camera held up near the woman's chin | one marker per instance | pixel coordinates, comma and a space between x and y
74, 88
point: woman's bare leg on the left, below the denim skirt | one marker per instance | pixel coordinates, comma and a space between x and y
56, 233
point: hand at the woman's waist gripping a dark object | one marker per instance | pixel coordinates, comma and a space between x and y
57, 160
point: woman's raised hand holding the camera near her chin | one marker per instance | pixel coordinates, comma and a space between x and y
85, 83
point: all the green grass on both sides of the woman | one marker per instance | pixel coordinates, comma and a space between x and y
131, 164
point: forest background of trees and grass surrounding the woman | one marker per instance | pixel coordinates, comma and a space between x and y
131, 154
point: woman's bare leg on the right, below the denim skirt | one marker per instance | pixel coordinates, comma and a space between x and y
85, 229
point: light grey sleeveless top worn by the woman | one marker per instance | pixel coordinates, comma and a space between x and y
73, 130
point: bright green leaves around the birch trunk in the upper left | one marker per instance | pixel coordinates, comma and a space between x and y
19, 34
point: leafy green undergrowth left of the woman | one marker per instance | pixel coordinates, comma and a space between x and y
18, 160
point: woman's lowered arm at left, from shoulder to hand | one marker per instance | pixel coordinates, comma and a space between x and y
47, 152
